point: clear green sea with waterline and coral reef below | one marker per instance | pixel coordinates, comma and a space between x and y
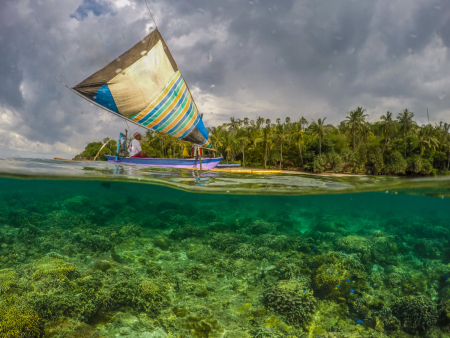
93, 249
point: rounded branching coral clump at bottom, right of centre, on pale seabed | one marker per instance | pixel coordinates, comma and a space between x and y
291, 299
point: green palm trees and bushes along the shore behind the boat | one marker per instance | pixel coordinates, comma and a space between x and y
393, 145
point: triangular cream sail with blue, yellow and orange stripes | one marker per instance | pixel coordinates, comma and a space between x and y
145, 85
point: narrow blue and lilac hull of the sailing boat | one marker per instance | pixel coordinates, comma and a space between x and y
185, 163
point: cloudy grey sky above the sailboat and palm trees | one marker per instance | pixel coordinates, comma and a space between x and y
274, 59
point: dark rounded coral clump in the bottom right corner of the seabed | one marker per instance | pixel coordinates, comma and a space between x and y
417, 313
